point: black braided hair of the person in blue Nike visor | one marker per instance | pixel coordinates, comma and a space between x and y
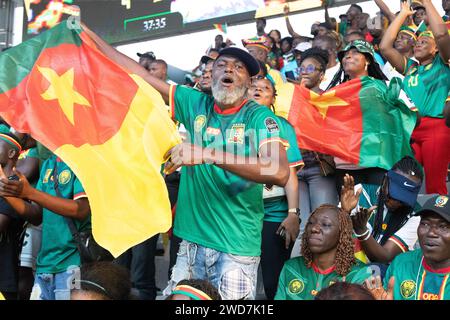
399, 217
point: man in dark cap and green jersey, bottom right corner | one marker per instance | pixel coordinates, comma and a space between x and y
423, 274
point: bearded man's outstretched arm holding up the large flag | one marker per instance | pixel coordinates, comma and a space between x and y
132, 66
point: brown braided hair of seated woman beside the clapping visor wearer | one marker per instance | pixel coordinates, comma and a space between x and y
345, 258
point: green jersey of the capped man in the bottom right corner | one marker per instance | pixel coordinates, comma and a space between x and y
415, 280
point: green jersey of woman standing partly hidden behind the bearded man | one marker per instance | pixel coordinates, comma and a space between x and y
275, 201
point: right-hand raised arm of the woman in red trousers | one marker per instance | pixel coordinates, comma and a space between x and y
439, 30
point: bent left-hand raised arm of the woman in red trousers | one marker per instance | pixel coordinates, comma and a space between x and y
397, 60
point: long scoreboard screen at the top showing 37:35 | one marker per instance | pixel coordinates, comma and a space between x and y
126, 21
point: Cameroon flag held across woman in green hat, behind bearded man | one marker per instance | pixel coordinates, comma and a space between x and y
362, 121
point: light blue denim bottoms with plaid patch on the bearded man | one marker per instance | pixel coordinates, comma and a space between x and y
234, 276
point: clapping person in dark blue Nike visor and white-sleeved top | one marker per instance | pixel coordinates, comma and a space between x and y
383, 218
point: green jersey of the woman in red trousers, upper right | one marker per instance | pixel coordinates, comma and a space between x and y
428, 86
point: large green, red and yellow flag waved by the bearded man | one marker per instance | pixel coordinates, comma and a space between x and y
111, 127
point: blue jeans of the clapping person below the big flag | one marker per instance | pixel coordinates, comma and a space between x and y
54, 286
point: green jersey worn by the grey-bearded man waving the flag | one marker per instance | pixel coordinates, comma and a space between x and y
218, 209
